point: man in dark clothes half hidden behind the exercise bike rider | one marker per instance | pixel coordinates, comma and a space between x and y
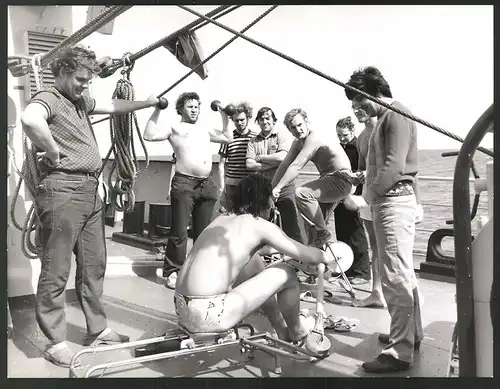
348, 225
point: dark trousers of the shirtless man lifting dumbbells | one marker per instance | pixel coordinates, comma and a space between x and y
190, 198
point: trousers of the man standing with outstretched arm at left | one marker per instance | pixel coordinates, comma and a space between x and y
72, 221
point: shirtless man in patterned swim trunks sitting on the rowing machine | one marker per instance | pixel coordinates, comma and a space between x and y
224, 279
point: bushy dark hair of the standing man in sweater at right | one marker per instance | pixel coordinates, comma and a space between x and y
370, 81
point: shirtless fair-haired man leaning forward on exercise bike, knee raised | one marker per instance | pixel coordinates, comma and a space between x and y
317, 199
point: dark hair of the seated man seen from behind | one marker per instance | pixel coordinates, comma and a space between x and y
252, 195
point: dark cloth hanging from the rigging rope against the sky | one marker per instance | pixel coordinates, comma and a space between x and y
188, 51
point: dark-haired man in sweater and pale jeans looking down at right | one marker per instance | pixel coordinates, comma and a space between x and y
391, 170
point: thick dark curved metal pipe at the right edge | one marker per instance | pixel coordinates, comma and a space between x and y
463, 242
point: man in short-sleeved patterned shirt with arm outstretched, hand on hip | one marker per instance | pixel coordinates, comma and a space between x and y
70, 210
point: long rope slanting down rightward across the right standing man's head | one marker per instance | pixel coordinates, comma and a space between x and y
335, 81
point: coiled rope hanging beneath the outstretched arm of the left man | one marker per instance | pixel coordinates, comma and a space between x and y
125, 167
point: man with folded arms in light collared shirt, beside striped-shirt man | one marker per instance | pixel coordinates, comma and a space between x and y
264, 154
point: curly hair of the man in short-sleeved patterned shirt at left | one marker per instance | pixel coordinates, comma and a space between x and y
72, 58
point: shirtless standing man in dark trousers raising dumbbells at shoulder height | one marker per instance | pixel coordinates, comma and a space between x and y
192, 194
